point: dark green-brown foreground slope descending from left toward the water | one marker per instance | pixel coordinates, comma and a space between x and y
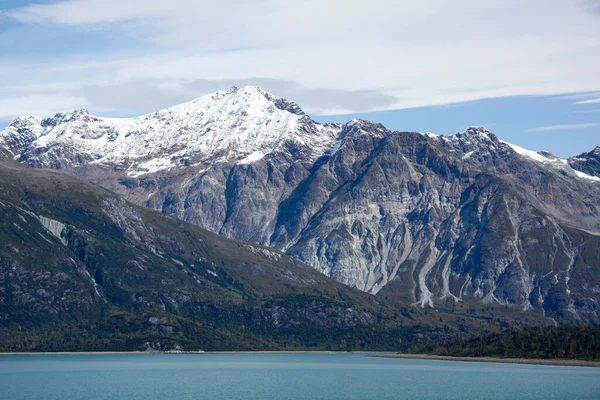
82, 269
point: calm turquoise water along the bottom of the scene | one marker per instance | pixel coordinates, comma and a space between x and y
284, 376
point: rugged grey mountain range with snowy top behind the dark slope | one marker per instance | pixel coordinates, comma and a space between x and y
422, 218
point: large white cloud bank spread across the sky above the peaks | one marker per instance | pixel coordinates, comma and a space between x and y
336, 56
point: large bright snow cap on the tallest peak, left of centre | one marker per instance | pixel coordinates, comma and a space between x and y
240, 125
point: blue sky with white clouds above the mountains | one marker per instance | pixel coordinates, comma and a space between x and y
528, 70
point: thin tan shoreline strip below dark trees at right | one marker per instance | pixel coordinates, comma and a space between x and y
529, 361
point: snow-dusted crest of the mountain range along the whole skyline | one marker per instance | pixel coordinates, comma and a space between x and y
239, 125
